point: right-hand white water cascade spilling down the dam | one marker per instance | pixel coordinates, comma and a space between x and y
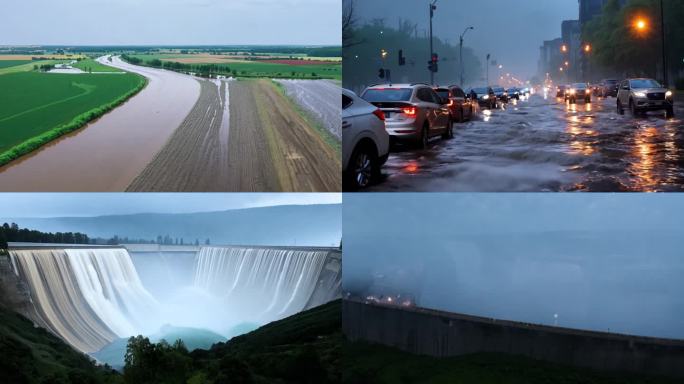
264, 284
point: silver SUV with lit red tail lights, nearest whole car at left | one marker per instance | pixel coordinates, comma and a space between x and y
412, 111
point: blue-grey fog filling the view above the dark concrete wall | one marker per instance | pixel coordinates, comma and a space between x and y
600, 262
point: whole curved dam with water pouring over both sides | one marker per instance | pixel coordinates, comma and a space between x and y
92, 295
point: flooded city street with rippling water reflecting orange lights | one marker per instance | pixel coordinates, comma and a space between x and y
542, 144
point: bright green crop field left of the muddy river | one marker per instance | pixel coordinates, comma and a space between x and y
36, 108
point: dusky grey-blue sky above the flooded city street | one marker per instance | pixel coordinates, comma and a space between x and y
512, 31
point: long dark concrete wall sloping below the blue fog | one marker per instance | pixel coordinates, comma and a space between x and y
442, 334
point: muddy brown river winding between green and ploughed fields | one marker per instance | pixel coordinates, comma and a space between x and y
109, 153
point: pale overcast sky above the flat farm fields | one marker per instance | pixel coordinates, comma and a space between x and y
171, 22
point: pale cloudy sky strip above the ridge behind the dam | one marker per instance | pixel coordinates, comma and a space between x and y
94, 204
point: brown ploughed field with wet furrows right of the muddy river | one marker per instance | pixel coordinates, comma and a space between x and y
266, 147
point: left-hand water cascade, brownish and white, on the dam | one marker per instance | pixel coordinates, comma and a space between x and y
89, 297
